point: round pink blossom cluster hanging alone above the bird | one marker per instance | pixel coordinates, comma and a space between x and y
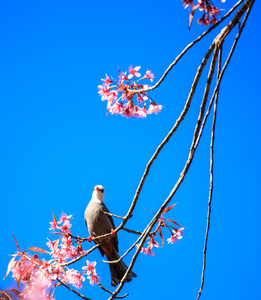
120, 93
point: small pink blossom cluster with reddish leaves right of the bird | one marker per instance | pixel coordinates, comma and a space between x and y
176, 234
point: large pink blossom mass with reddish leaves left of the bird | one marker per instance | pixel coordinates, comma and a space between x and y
40, 277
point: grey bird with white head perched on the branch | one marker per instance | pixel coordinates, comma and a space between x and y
99, 222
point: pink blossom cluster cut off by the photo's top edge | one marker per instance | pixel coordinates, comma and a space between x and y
210, 11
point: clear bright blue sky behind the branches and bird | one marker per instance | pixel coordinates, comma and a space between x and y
58, 143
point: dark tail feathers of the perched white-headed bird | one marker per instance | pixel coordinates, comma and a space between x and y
118, 269
